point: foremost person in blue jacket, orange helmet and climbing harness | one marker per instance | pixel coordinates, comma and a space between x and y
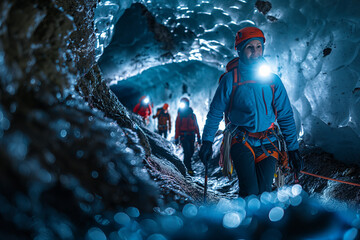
254, 105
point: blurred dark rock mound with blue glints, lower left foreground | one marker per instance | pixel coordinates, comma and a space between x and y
71, 148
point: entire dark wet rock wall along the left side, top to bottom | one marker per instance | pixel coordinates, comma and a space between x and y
57, 150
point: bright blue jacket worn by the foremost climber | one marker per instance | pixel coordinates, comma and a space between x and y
252, 106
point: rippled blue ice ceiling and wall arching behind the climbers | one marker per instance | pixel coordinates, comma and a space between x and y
167, 49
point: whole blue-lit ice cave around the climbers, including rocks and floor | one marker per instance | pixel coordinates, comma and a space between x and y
78, 163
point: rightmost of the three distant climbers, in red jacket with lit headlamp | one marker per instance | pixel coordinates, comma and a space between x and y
186, 127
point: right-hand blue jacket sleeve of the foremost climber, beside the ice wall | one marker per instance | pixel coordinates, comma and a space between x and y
285, 115
